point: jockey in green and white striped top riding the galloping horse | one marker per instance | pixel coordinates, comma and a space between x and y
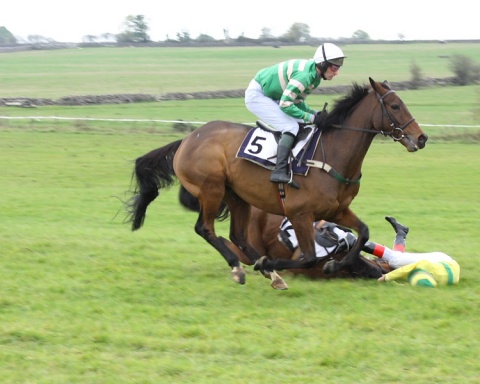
277, 95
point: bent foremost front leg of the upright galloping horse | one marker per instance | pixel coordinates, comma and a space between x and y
350, 220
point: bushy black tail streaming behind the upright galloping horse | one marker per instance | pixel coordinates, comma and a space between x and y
152, 172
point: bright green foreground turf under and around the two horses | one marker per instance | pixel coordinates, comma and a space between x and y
84, 300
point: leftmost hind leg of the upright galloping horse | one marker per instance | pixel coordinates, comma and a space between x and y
205, 228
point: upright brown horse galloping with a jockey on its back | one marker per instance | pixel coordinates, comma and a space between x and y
205, 163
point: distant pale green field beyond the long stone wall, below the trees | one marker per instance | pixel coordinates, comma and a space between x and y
94, 71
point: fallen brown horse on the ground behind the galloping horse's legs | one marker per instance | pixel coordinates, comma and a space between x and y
263, 229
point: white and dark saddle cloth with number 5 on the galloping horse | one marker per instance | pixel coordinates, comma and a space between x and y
260, 147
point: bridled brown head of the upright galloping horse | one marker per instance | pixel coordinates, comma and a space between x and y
395, 120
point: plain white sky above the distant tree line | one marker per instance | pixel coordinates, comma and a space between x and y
70, 21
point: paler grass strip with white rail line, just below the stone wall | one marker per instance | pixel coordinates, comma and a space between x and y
441, 111
